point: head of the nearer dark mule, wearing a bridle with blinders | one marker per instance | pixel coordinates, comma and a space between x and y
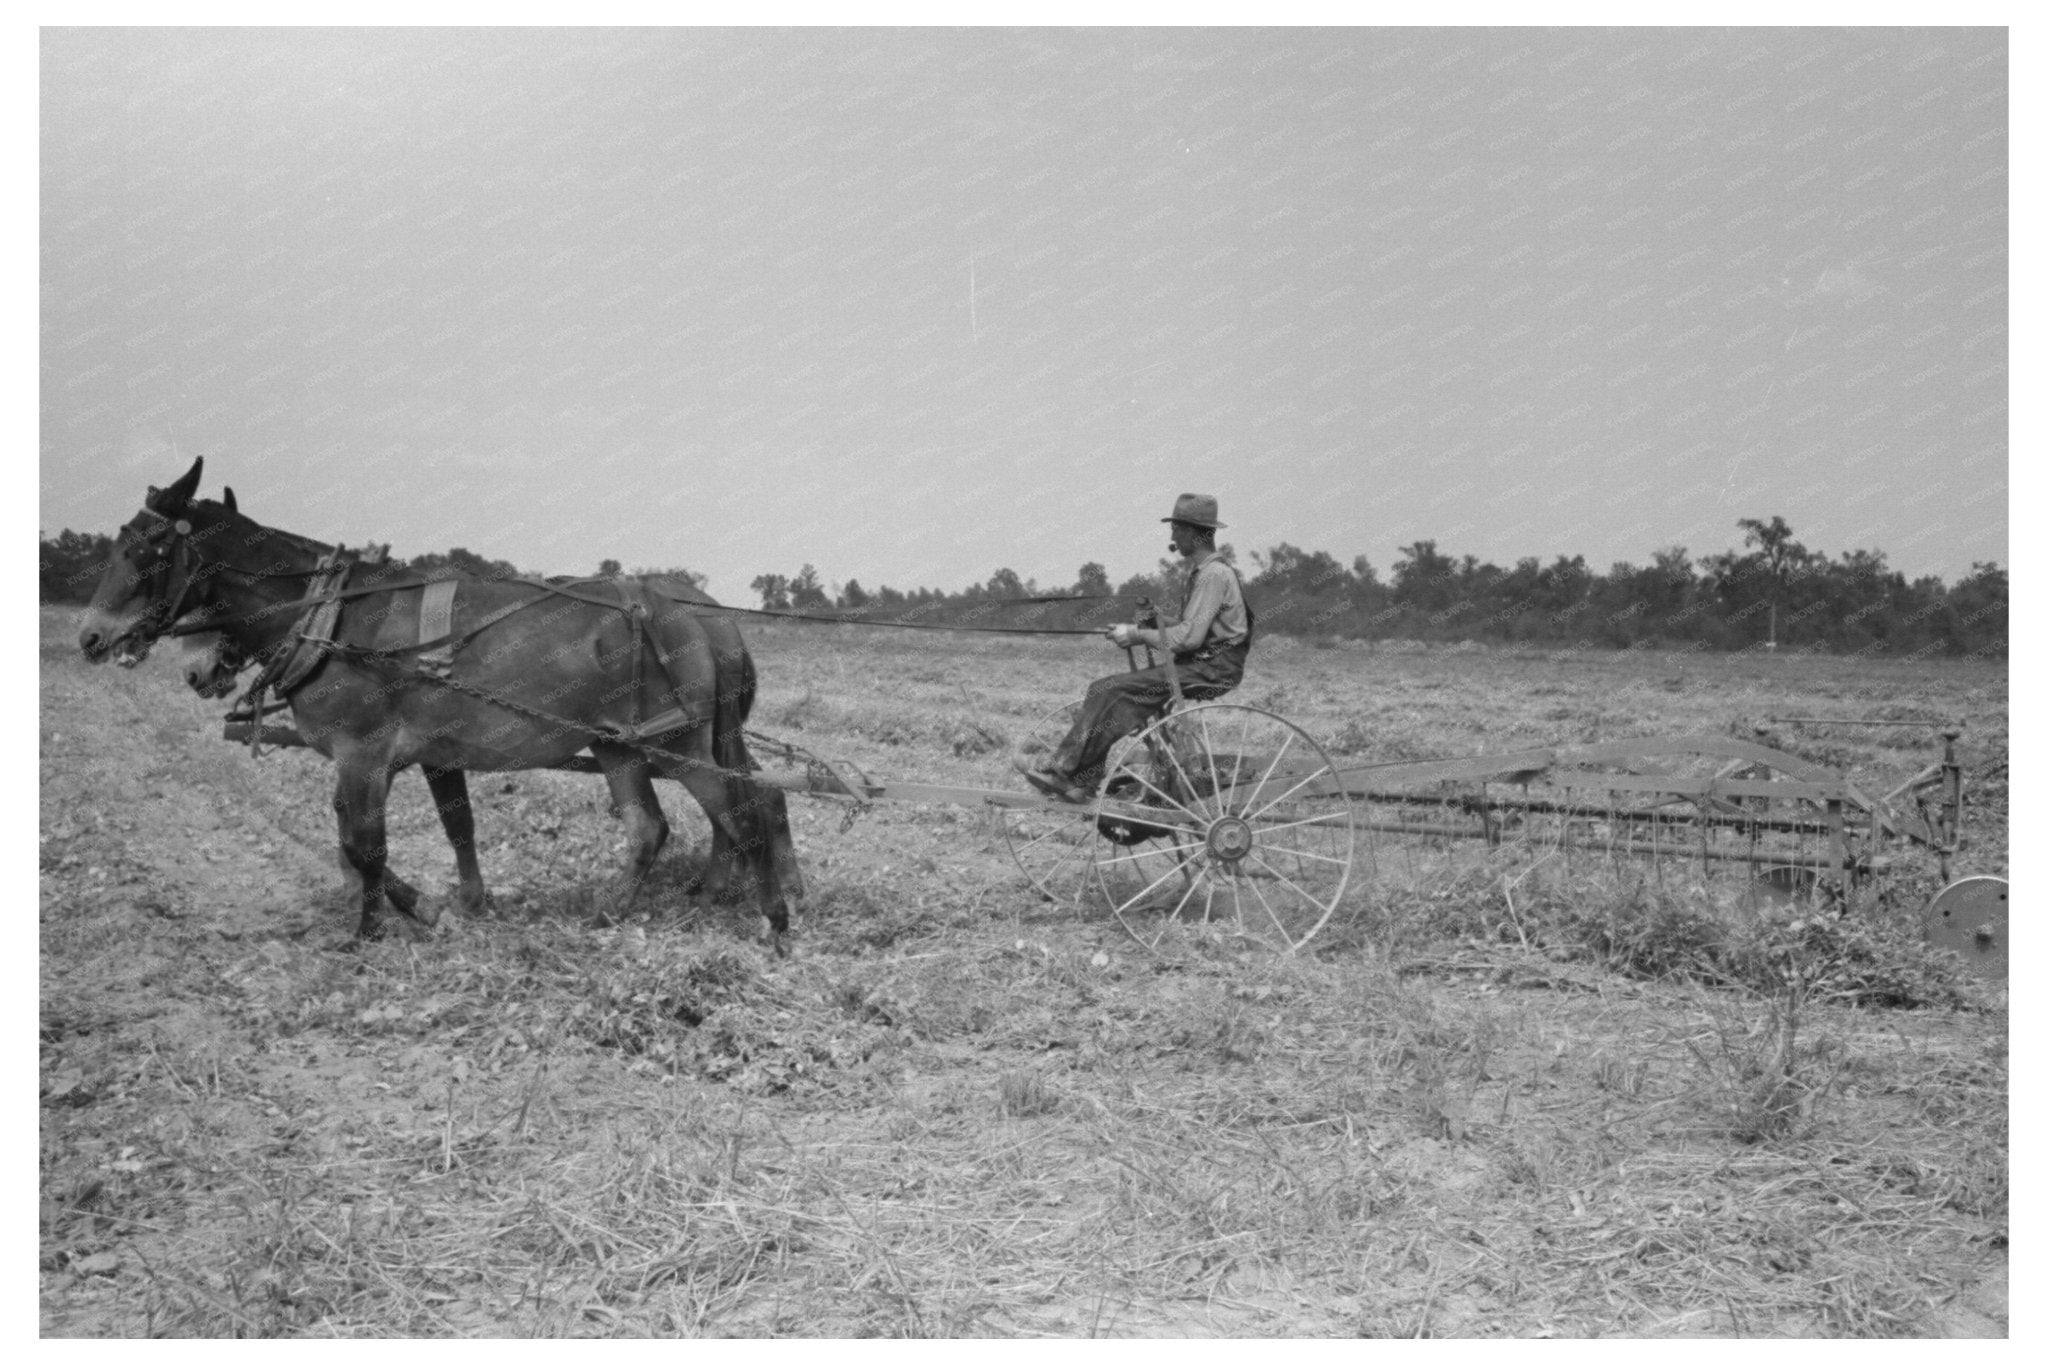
155, 574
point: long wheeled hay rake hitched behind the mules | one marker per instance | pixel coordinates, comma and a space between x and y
1232, 818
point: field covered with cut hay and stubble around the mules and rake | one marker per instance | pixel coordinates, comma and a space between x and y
957, 1110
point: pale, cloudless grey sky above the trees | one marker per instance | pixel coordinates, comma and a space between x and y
914, 306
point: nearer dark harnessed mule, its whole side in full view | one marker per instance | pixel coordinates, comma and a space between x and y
538, 674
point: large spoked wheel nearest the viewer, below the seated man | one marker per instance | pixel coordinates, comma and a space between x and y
1224, 816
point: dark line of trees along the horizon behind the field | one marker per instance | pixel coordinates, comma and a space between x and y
1773, 592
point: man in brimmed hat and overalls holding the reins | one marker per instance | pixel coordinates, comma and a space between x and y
1207, 642
